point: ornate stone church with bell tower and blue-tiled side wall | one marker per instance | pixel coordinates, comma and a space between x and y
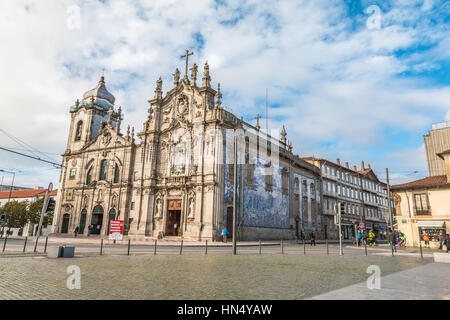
176, 176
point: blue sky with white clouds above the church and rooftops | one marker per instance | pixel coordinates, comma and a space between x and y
355, 80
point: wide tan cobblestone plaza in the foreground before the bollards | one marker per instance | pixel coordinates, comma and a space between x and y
191, 276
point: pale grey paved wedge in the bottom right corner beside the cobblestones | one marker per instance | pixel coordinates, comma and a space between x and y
427, 282
